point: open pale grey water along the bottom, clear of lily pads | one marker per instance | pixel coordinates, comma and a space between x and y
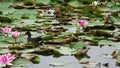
100, 55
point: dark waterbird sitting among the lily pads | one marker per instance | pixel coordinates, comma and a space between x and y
37, 40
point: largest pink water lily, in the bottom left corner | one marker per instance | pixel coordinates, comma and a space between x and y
6, 59
